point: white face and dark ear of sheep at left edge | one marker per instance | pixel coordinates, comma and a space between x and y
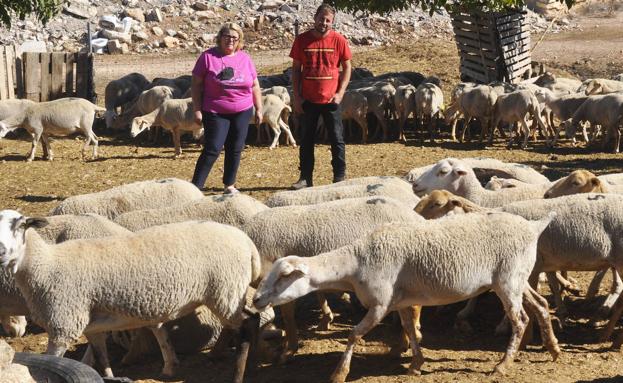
13, 228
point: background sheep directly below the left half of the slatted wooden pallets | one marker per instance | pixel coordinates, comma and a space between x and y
473, 102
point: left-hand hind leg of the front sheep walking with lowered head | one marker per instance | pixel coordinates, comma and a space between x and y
519, 320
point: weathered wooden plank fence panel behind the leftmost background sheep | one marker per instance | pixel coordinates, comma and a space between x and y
48, 76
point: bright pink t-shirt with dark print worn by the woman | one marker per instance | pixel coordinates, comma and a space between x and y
226, 96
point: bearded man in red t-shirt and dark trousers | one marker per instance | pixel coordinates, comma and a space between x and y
318, 88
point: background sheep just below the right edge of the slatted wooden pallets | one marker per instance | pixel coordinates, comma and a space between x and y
516, 107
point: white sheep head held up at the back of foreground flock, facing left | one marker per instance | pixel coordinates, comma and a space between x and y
446, 174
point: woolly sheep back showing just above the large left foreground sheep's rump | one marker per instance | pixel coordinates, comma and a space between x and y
229, 209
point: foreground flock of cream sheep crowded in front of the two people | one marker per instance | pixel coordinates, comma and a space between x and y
117, 261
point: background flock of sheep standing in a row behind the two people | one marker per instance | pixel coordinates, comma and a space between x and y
545, 103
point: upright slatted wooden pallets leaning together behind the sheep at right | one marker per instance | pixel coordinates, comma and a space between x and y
492, 46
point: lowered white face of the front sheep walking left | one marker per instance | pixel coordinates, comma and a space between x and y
287, 280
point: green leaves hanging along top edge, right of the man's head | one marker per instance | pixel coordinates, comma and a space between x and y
386, 6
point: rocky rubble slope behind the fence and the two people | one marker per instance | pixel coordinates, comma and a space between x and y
139, 26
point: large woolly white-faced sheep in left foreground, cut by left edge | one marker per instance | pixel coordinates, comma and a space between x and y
116, 297
